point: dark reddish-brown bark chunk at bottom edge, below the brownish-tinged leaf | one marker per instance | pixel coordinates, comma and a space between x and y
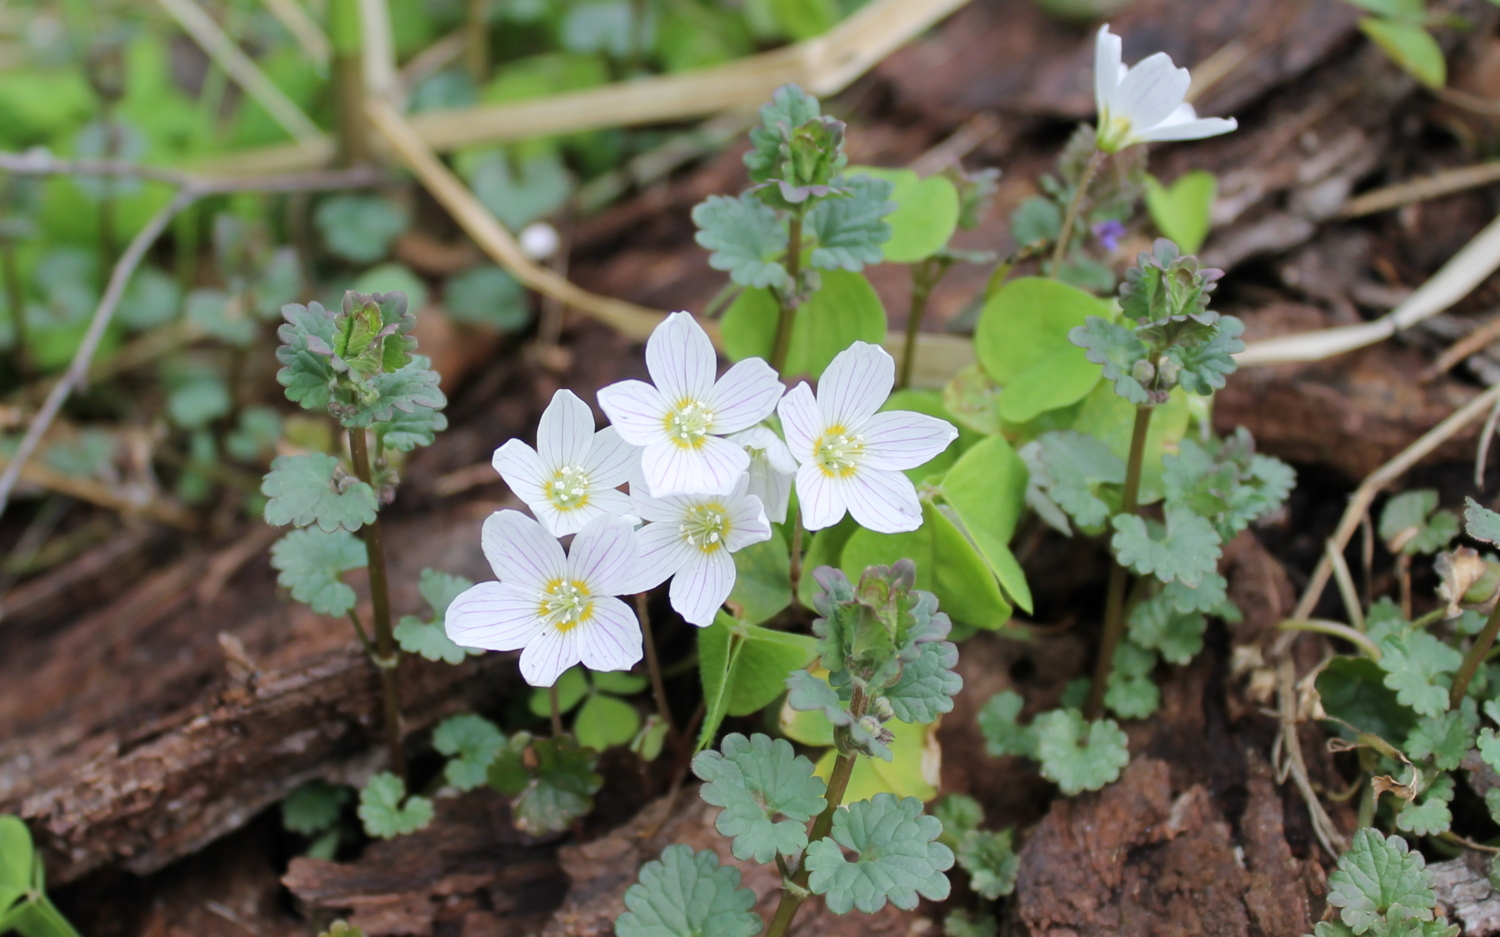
470, 869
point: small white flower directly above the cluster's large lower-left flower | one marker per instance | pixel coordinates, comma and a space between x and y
572, 476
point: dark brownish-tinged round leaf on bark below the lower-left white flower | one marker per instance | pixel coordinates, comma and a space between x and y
551, 782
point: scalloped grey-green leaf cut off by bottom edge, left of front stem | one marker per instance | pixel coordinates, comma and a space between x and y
688, 894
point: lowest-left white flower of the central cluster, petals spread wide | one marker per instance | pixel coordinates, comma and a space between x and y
559, 609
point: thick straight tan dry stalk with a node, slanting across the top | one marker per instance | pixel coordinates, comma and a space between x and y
823, 65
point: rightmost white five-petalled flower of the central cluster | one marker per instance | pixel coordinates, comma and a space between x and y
853, 457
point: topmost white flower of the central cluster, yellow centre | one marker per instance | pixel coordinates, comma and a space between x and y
682, 419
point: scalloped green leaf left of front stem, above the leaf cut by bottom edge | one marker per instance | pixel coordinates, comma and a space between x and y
757, 780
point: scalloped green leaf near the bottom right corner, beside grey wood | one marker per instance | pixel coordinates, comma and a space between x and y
1381, 881
